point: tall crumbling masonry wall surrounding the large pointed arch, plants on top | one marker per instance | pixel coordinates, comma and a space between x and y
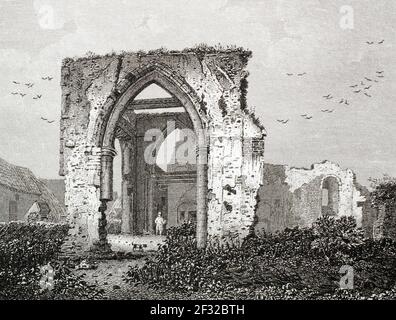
214, 82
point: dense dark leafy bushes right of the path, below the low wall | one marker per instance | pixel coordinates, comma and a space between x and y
293, 264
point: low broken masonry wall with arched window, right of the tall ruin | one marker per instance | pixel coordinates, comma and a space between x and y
292, 197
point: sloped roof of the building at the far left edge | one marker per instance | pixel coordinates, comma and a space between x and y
18, 178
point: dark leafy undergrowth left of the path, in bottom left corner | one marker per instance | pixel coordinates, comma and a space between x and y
24, 250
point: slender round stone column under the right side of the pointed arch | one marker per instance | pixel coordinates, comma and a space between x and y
202, 175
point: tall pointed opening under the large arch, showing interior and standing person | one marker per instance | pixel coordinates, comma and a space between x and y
155, 166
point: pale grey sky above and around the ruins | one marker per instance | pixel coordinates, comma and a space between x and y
325, 41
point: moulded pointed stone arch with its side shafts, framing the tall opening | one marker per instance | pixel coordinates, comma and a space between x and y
177, 88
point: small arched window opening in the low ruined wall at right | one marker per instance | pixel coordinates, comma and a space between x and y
330, 196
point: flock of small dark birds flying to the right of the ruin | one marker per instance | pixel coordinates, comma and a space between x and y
362, 87
